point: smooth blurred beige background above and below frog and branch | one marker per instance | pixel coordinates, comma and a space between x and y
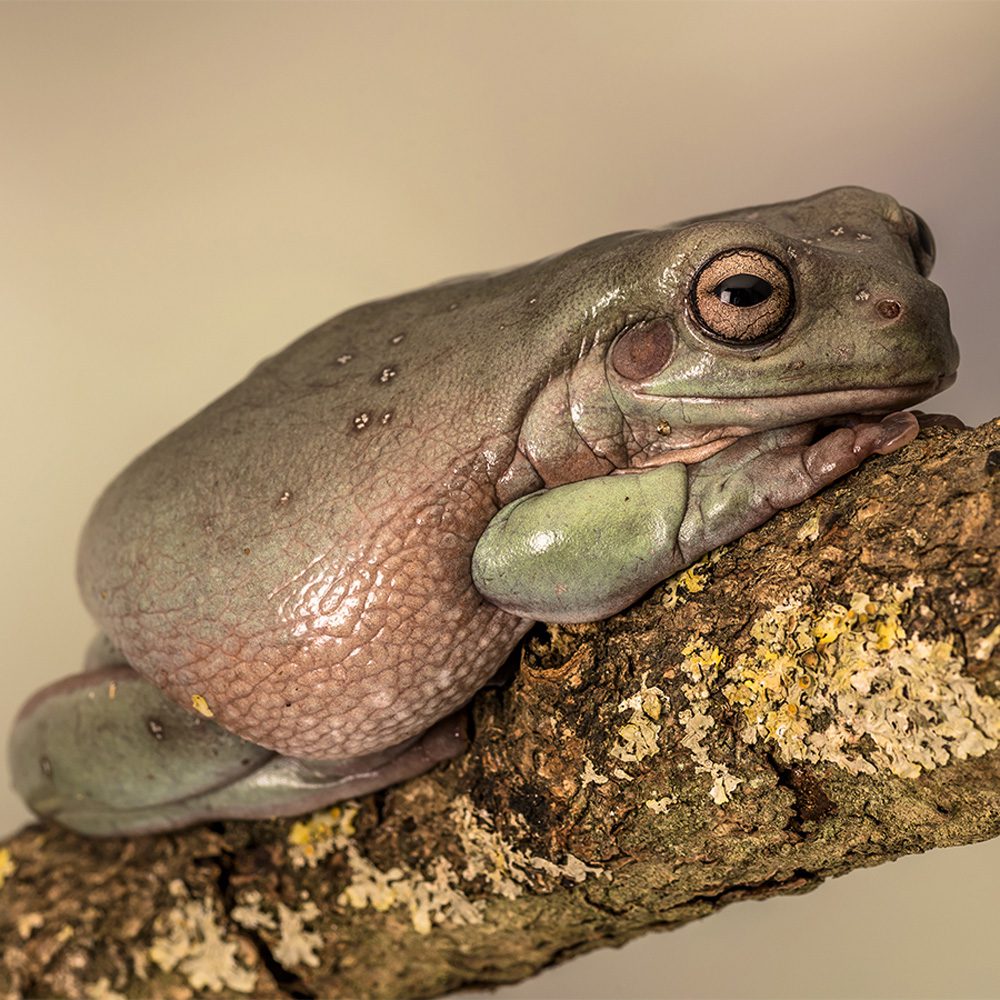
183, 188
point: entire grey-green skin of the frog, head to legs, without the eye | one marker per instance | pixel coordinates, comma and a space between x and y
335, 555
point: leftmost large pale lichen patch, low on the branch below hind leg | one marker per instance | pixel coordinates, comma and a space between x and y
189, 939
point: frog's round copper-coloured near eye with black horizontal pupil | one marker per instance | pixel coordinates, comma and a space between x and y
742, 296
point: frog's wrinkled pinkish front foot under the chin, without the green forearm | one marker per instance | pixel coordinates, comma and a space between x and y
742, 486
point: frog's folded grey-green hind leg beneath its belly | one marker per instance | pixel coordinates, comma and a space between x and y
106, 753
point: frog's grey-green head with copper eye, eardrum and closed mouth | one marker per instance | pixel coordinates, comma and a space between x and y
784, 314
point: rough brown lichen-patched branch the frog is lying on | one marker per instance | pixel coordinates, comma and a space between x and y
821, 696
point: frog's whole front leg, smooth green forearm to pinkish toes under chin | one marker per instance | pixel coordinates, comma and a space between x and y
585, 550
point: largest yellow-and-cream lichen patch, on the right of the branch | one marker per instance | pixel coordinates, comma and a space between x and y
847, 684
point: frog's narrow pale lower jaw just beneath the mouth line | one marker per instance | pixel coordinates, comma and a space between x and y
755, 413
